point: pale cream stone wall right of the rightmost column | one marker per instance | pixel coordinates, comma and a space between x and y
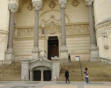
103, 27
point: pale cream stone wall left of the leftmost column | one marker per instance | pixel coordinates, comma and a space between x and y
4, 23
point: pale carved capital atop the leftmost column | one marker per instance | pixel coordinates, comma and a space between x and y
13, 5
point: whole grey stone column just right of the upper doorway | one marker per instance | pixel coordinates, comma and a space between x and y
64, 51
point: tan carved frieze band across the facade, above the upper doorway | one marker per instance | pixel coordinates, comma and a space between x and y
52, 28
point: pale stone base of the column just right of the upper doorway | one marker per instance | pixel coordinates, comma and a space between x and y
64, 53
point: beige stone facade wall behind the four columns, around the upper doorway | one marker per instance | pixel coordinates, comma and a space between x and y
77, 29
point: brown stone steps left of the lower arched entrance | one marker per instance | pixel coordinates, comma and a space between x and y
10, 72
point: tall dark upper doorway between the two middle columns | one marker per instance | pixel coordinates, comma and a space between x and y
53, 47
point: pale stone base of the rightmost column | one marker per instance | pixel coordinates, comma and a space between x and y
94, 54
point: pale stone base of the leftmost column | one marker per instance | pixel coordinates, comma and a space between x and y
9, 56
